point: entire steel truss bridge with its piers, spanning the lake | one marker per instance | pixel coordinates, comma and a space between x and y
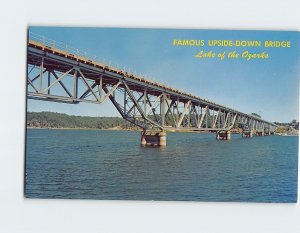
60, 73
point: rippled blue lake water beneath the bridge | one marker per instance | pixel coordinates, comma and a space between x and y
94, 164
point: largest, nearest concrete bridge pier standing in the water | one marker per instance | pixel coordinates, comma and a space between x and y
153, 138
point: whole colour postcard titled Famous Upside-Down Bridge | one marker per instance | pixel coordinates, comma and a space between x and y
162, 114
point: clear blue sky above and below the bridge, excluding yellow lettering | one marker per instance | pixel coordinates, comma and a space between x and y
269, 87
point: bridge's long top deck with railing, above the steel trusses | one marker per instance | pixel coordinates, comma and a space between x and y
112, 74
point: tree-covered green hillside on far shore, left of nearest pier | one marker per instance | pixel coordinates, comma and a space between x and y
59, 120
